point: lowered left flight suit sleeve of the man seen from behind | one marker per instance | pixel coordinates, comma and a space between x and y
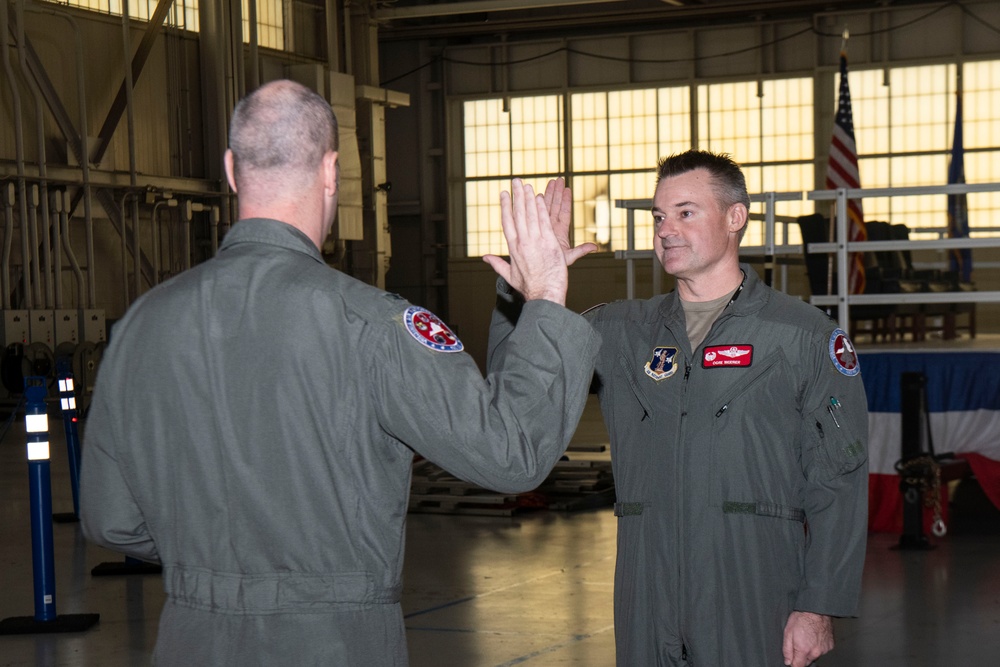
109, 514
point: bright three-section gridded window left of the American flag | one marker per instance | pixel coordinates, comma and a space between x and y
615, 140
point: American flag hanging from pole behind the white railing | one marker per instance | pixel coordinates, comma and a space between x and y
842, 172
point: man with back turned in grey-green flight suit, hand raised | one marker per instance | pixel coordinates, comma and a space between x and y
255, 418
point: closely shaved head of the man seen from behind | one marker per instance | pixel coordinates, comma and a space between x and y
278, 137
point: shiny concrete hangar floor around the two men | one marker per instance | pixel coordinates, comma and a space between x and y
531, 589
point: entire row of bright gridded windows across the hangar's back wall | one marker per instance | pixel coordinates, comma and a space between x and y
904, 121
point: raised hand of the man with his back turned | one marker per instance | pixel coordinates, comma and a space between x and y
538, 259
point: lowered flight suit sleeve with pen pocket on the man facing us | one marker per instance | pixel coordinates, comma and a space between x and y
834, 437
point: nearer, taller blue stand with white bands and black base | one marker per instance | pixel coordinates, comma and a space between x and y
43, 565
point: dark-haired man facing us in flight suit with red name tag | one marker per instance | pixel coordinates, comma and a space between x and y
738, 426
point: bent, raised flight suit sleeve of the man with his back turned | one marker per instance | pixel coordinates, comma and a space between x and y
504, 431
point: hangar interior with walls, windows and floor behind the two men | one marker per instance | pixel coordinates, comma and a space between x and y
112, 130
